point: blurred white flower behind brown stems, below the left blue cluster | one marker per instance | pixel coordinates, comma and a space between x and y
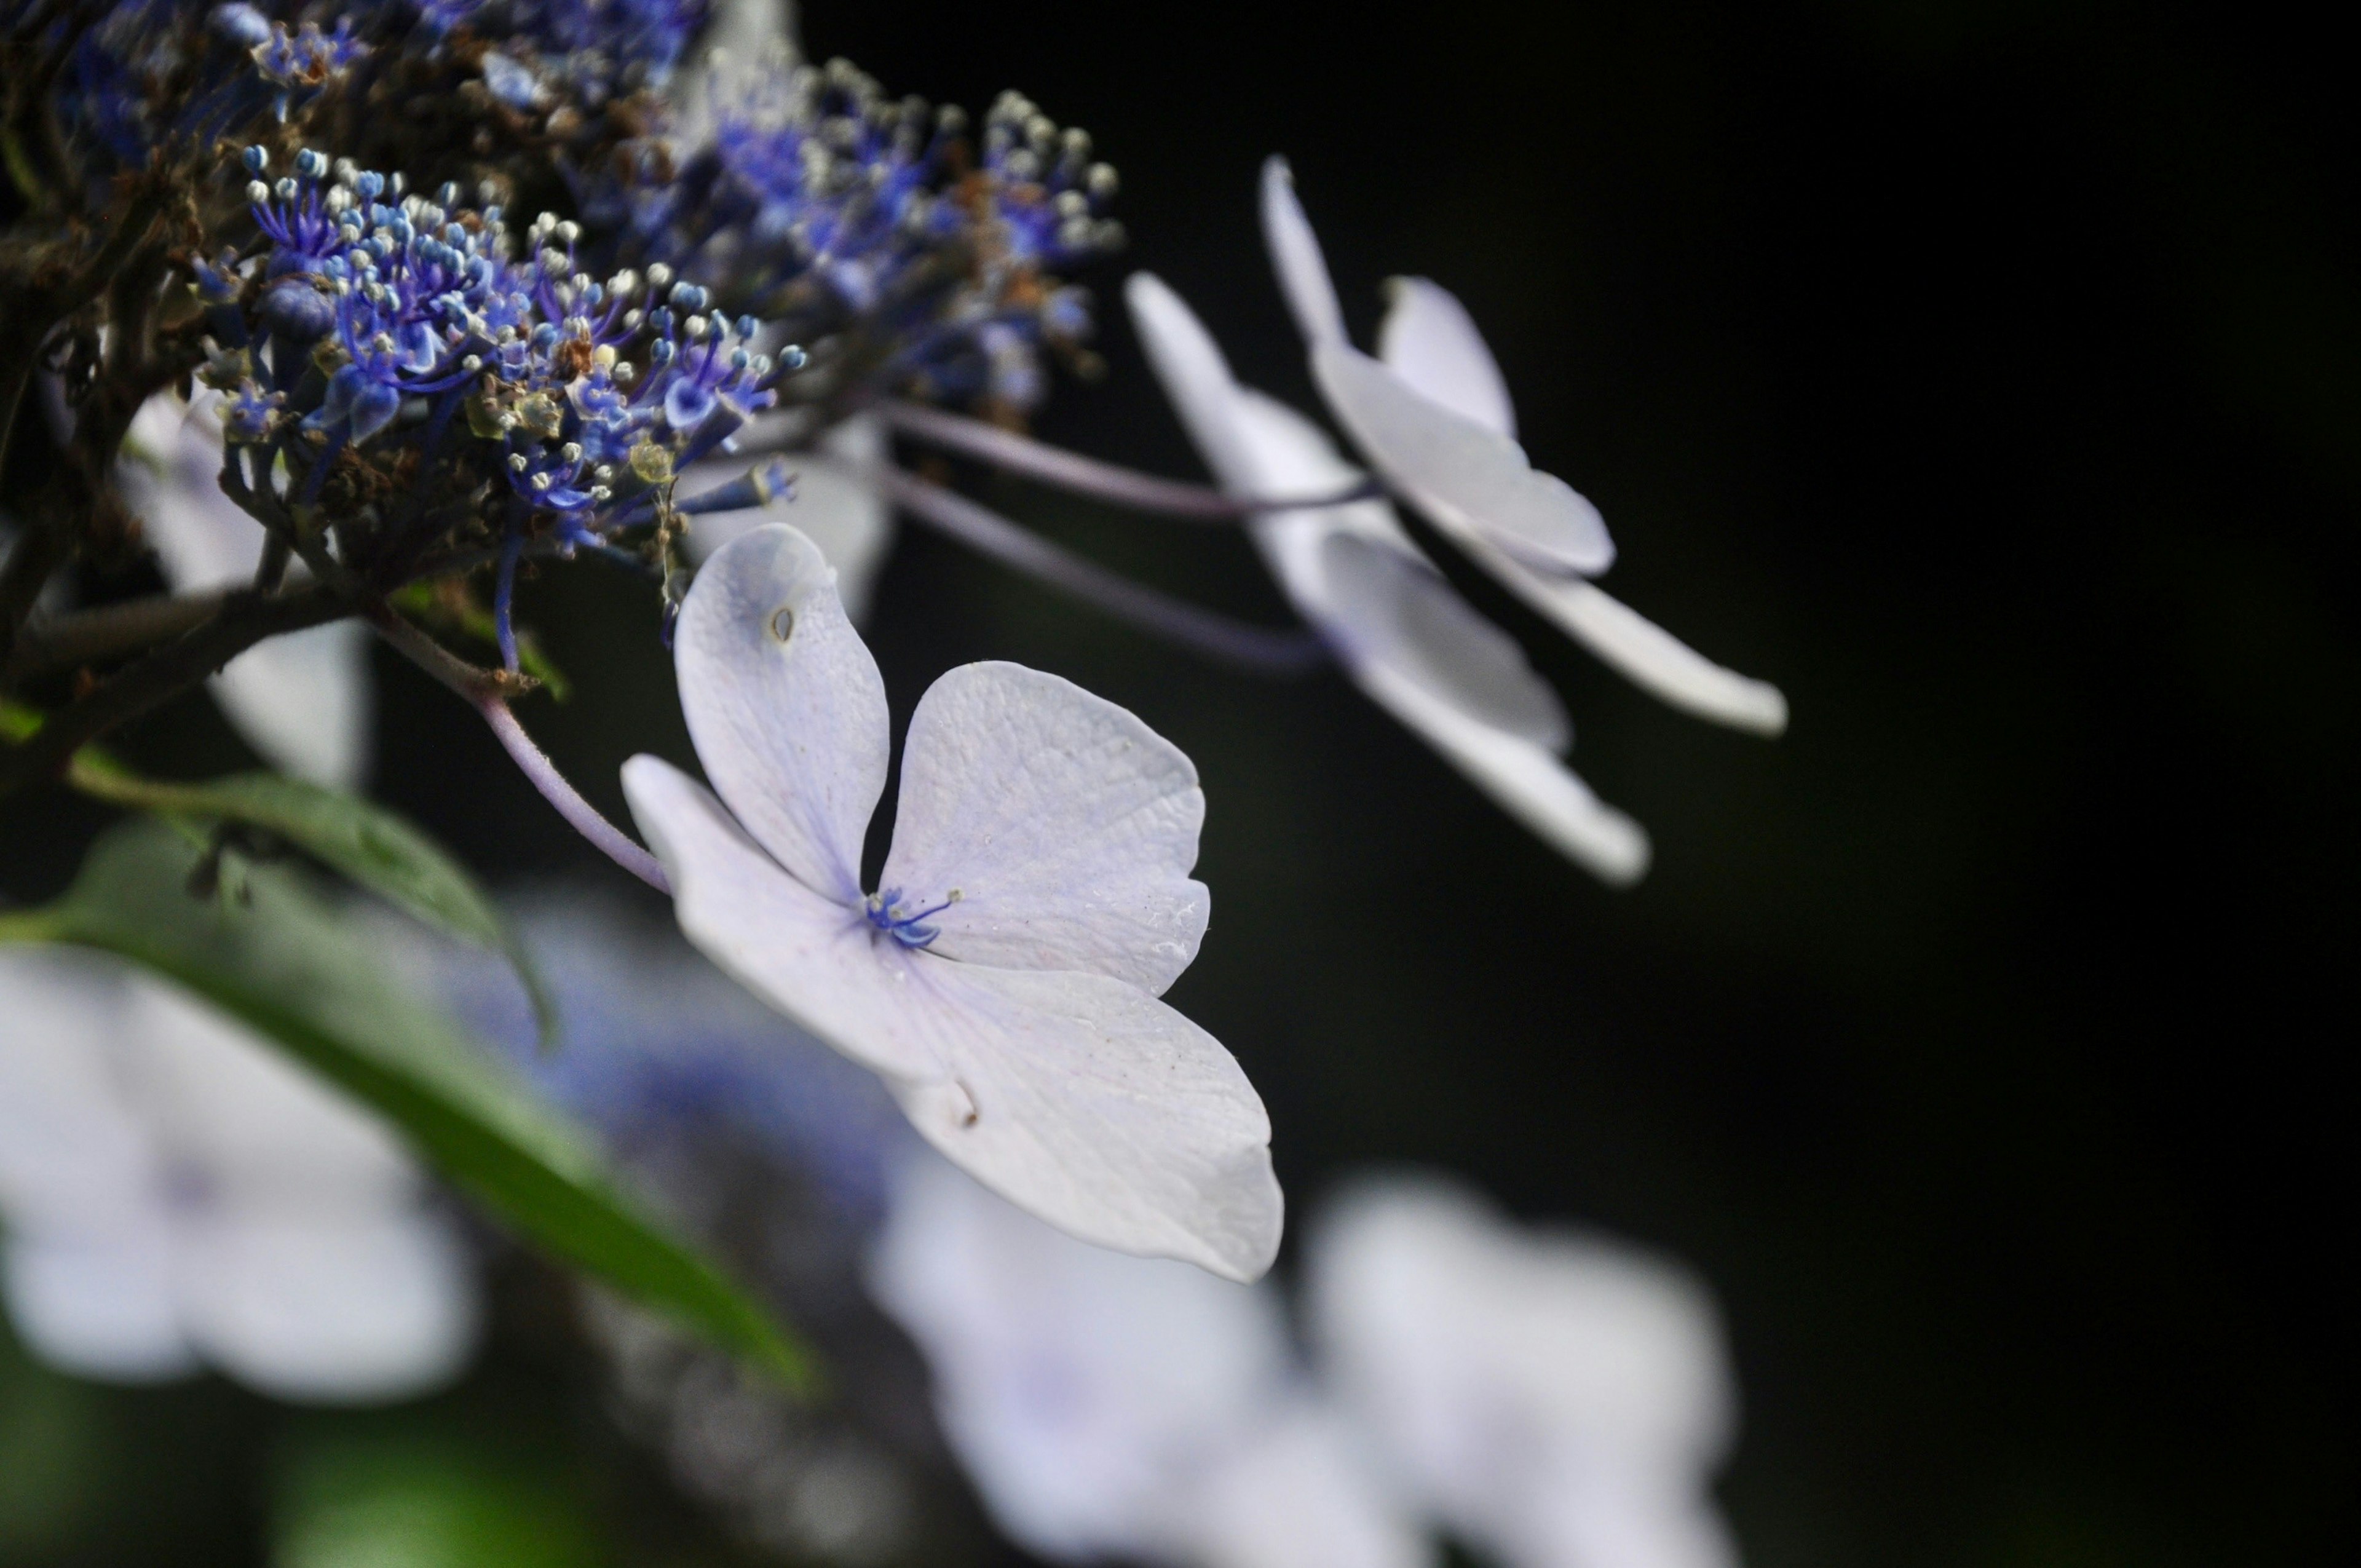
301, 700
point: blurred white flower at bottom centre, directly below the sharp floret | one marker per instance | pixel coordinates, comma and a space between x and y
1123, 1409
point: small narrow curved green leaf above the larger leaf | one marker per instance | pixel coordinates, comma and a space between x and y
351, 835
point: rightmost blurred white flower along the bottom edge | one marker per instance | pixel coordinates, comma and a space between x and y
1555, 1399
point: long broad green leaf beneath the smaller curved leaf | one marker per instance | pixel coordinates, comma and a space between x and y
296, 974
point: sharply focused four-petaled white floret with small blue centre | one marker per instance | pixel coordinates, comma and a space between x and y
1005, 976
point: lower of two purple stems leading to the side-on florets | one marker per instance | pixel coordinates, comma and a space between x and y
1257, 648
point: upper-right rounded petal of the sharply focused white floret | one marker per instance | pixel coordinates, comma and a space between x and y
1064, 825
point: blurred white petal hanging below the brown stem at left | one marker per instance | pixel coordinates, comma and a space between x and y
306, 703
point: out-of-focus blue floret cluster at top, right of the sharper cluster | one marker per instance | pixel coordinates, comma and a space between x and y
844, 214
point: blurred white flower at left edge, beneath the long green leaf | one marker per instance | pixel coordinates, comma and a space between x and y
178, 1196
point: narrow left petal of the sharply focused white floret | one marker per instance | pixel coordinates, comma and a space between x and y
794, 948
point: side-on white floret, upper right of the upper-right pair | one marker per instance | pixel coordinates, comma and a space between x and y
1434, 419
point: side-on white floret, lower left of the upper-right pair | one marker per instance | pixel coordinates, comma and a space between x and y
1397, 625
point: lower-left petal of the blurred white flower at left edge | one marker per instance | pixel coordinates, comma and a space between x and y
98, 1305
